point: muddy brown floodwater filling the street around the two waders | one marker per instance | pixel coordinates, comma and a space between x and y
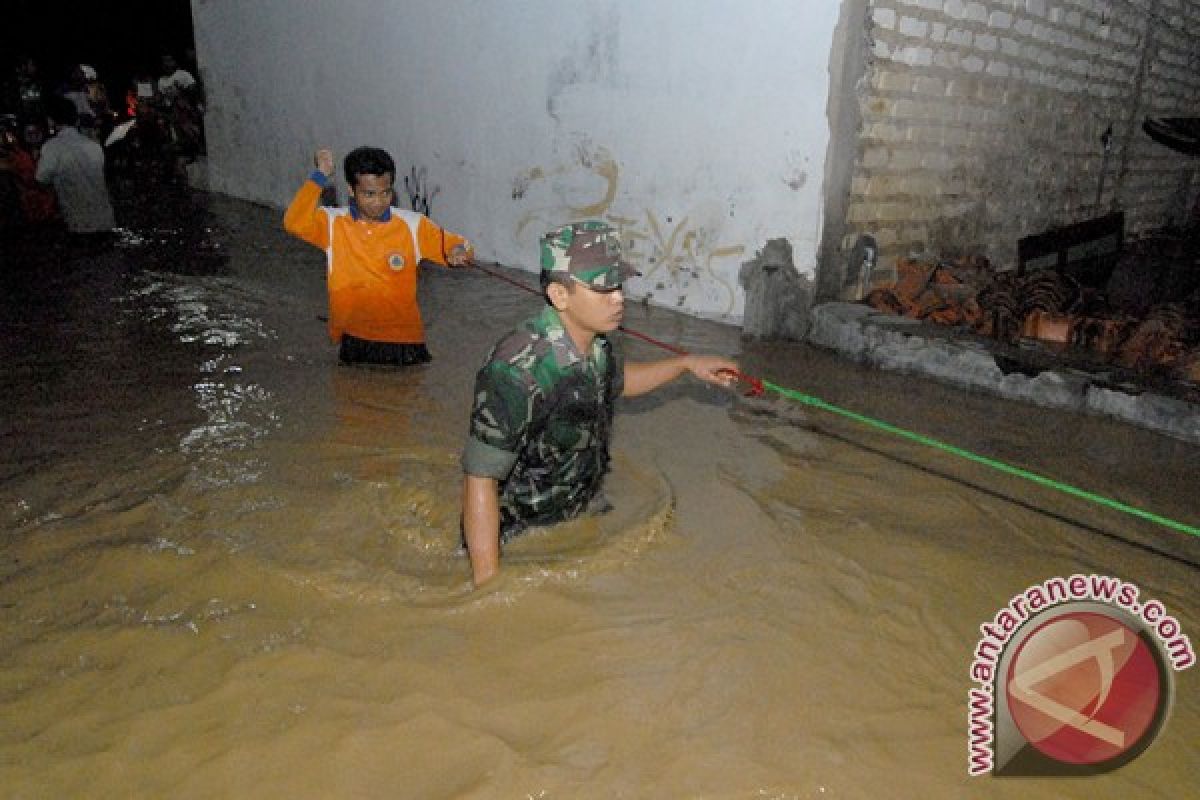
230, 567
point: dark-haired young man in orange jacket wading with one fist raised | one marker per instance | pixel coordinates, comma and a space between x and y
373, 251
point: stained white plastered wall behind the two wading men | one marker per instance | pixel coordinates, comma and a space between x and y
698, 127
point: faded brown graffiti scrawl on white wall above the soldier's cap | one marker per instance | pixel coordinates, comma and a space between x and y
677, 258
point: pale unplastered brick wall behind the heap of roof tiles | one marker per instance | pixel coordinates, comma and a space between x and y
985, 121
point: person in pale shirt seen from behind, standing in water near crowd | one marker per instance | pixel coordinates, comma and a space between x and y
74, 166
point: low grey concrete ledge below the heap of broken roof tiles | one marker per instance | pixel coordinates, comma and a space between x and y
903, 345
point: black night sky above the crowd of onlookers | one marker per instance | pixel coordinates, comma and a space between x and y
118, 39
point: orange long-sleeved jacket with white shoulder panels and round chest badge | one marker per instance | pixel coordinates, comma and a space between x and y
371, 267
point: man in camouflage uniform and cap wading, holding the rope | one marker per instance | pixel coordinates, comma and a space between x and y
538, 448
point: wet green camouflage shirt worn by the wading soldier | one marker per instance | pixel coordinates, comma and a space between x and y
542, 422
